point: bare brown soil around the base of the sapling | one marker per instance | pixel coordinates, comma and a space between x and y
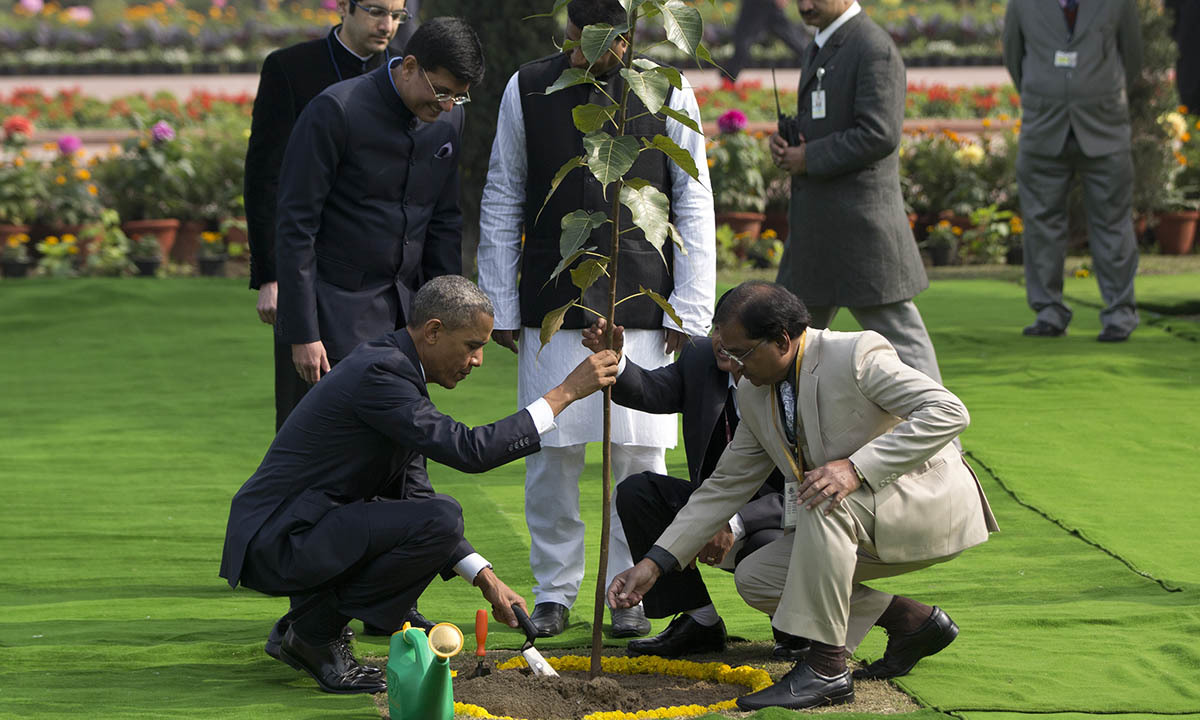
518, 695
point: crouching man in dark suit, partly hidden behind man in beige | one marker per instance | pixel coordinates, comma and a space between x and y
703, 386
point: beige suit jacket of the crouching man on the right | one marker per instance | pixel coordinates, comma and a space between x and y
857, 401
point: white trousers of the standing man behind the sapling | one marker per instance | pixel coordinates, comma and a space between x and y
553, 514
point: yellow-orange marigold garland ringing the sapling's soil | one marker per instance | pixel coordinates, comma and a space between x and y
752, 677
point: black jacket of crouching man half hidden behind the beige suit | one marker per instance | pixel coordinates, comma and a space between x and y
698, 388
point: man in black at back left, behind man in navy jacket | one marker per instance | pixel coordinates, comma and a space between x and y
291, 79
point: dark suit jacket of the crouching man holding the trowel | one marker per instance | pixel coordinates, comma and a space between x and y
364, 431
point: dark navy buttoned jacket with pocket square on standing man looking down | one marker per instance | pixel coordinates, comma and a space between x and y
368, 212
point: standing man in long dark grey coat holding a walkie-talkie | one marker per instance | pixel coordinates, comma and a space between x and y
850, 243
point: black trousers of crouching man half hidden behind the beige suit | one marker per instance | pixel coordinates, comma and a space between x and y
647, 503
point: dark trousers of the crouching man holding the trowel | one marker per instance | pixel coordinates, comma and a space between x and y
409, 544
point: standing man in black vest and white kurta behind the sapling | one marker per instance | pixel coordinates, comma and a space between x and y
518, 182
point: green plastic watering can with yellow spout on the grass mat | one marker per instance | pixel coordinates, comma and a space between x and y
419, 673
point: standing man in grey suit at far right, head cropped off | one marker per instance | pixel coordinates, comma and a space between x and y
1073, 62
